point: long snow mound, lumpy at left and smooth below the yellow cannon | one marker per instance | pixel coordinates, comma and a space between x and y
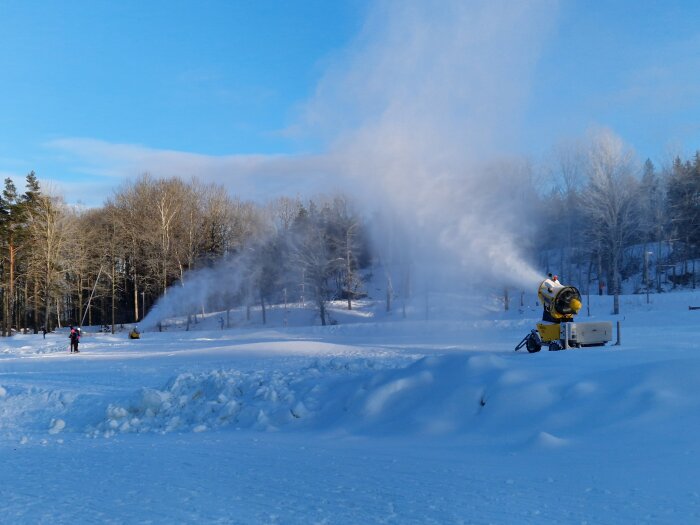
510, 398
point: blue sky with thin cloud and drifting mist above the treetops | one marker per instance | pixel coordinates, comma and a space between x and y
253, 94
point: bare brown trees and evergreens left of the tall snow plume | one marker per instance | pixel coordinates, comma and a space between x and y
105, 266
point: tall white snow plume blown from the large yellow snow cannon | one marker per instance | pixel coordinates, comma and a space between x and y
427, 101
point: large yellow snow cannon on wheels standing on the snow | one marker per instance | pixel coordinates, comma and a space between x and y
557, 330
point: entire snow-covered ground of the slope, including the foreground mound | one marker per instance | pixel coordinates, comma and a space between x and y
377, 419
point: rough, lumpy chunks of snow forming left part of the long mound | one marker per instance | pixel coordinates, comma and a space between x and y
261, 400
